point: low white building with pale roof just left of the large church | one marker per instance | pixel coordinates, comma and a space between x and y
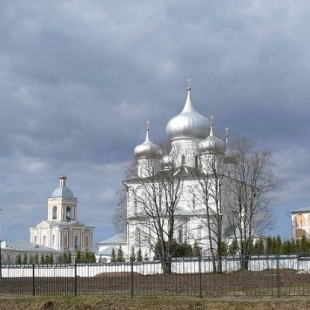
106, 247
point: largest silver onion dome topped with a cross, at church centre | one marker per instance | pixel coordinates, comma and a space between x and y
189, 124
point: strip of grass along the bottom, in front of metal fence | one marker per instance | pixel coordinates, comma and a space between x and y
11, 302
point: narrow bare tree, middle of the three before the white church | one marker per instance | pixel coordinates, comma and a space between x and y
208, 176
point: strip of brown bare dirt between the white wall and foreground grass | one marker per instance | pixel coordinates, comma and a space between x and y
266, 283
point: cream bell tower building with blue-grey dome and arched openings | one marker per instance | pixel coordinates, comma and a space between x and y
62, 231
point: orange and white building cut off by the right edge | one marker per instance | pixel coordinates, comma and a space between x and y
300, 223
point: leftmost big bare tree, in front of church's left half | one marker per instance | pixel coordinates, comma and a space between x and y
153, 198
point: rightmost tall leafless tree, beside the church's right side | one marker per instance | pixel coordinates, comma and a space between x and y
252, 188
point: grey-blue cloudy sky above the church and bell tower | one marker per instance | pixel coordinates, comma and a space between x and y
79, 79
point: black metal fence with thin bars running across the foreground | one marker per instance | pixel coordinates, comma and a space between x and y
265, 276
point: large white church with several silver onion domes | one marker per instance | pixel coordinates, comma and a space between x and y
166, 191
